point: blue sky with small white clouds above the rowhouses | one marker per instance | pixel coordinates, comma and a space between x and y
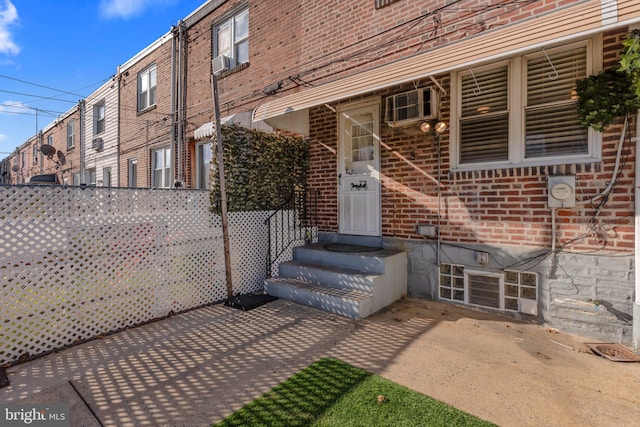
54, 53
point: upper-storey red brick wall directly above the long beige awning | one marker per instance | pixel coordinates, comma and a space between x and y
340, 38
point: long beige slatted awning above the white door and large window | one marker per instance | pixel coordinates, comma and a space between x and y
565, 24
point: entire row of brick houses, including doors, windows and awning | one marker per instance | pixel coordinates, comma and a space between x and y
513, 208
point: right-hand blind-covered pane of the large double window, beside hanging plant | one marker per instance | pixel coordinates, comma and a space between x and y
552, 124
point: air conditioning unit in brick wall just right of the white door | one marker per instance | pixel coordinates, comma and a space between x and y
410, 107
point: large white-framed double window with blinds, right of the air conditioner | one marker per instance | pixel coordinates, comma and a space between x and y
524, 110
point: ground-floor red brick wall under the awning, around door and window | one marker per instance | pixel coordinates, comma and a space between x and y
504, 206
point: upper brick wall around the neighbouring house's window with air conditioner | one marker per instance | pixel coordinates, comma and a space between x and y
273, 53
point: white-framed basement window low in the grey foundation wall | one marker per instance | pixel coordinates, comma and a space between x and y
509, 290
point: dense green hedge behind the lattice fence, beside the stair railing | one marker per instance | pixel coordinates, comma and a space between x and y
261, 169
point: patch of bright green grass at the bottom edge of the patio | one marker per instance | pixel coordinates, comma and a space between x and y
333, 393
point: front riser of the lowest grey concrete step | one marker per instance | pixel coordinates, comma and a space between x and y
340, 306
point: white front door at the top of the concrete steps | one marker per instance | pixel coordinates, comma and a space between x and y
359, 169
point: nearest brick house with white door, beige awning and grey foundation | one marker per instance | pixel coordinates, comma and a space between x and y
510, 209
